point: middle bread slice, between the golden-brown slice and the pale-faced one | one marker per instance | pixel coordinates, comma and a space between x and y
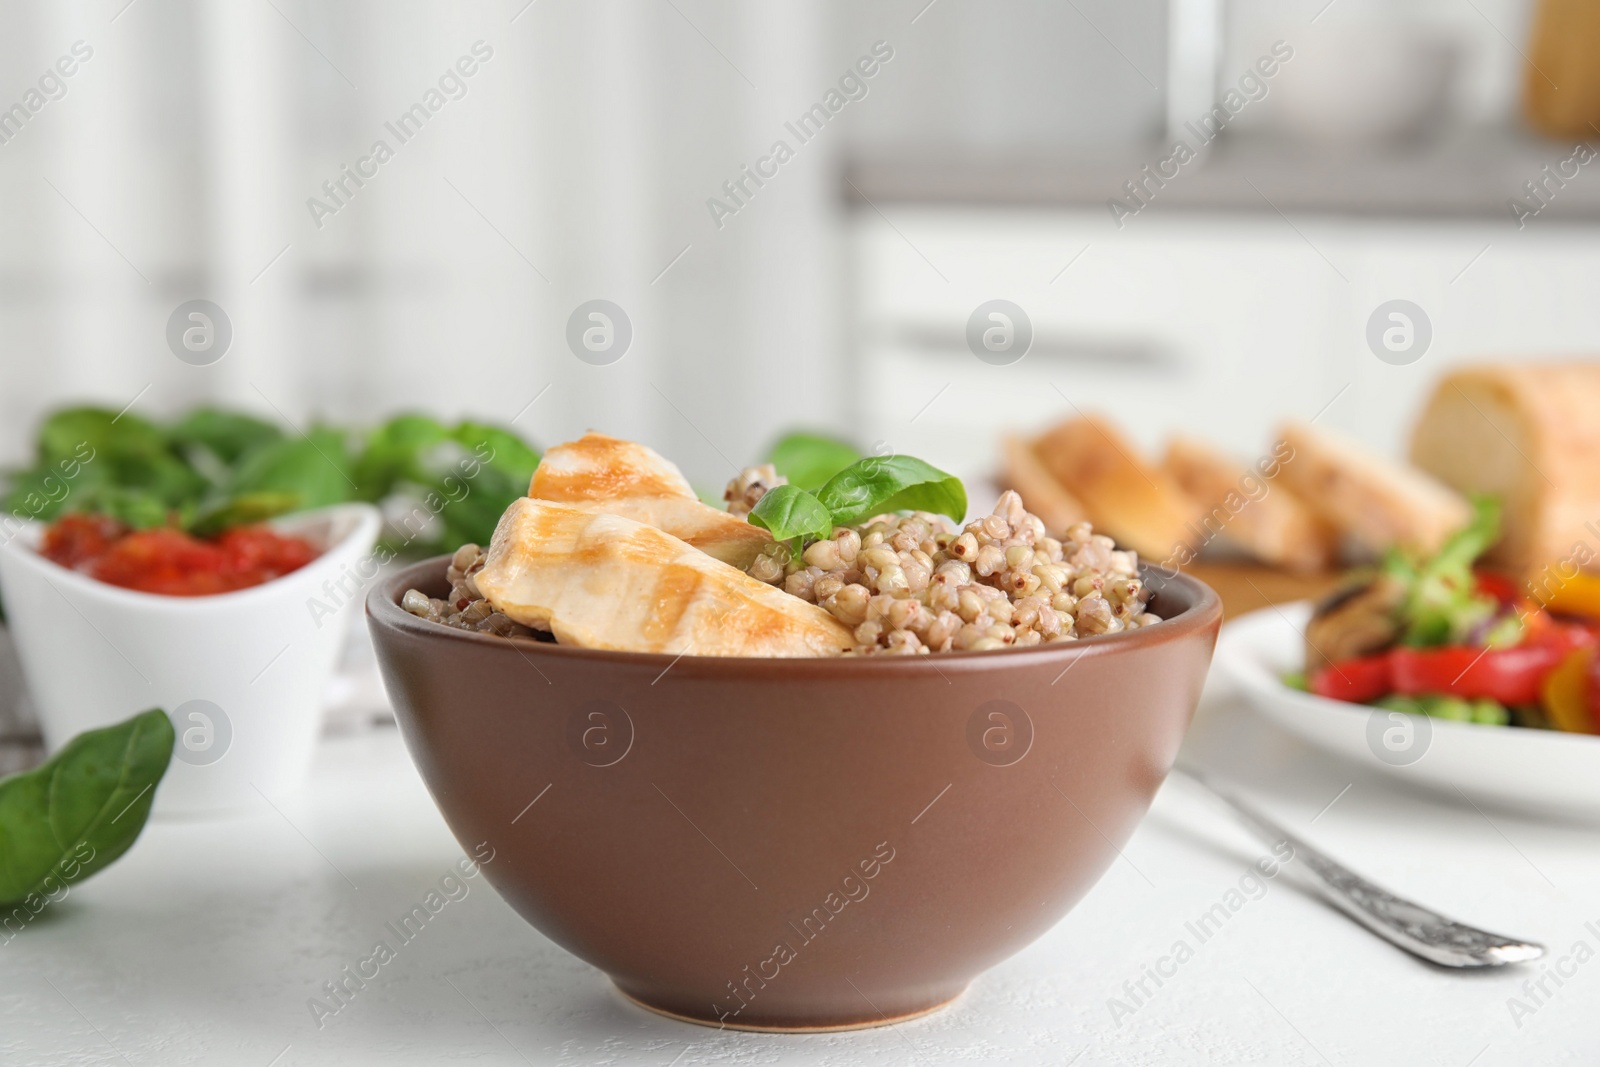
1252, 508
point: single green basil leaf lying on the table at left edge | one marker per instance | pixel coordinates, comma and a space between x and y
82, 809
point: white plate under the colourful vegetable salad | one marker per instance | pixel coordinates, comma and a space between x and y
1530, 770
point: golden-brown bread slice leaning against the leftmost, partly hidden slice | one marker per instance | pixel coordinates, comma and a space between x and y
1137, 505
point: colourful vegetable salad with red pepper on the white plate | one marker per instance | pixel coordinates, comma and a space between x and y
1438, 637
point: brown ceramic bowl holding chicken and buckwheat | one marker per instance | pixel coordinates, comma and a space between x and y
793, 844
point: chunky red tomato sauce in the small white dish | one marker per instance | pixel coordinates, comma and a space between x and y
169, 561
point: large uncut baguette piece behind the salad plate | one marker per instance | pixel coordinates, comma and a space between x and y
1529, 434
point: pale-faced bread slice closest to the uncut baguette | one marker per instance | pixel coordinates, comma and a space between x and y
1375, 502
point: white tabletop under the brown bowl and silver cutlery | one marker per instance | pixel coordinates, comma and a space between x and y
204, 945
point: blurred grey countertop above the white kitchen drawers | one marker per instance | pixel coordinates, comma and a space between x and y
1470, 174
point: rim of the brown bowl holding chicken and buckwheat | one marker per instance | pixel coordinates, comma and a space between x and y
1204, 612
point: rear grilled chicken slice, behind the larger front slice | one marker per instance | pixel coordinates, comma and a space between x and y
606, 474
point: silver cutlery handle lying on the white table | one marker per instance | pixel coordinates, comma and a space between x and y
1398, 921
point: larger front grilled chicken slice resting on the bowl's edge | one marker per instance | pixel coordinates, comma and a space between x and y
606, 581
